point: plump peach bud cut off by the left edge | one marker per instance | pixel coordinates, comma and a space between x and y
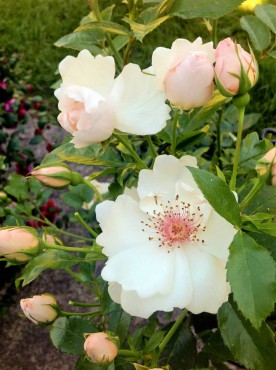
18, 243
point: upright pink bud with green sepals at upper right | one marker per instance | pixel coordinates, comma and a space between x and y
236, 70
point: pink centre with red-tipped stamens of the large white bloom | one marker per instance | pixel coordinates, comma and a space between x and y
174, 225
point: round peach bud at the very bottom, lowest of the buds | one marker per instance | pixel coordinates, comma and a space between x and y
101, 348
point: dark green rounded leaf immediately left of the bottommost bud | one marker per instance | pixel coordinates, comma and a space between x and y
67, 334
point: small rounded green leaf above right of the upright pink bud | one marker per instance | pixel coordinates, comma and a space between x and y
258, 32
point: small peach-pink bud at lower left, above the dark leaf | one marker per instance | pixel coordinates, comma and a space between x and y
39, 308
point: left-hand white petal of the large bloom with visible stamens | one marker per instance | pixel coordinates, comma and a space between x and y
121, 226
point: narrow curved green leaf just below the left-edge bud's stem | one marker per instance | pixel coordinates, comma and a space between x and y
50, 259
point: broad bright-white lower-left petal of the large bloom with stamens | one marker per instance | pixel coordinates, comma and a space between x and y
145, 269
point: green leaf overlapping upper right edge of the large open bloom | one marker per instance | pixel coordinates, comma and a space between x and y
218, 195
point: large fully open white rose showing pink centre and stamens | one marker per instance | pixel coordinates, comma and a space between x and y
166, 245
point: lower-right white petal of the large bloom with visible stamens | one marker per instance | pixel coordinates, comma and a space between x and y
210, 288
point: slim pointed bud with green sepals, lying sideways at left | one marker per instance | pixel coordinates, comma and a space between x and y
56, 176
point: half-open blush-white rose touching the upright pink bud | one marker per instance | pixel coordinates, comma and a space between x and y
185, 72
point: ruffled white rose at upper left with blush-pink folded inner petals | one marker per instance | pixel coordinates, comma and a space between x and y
93, 102
